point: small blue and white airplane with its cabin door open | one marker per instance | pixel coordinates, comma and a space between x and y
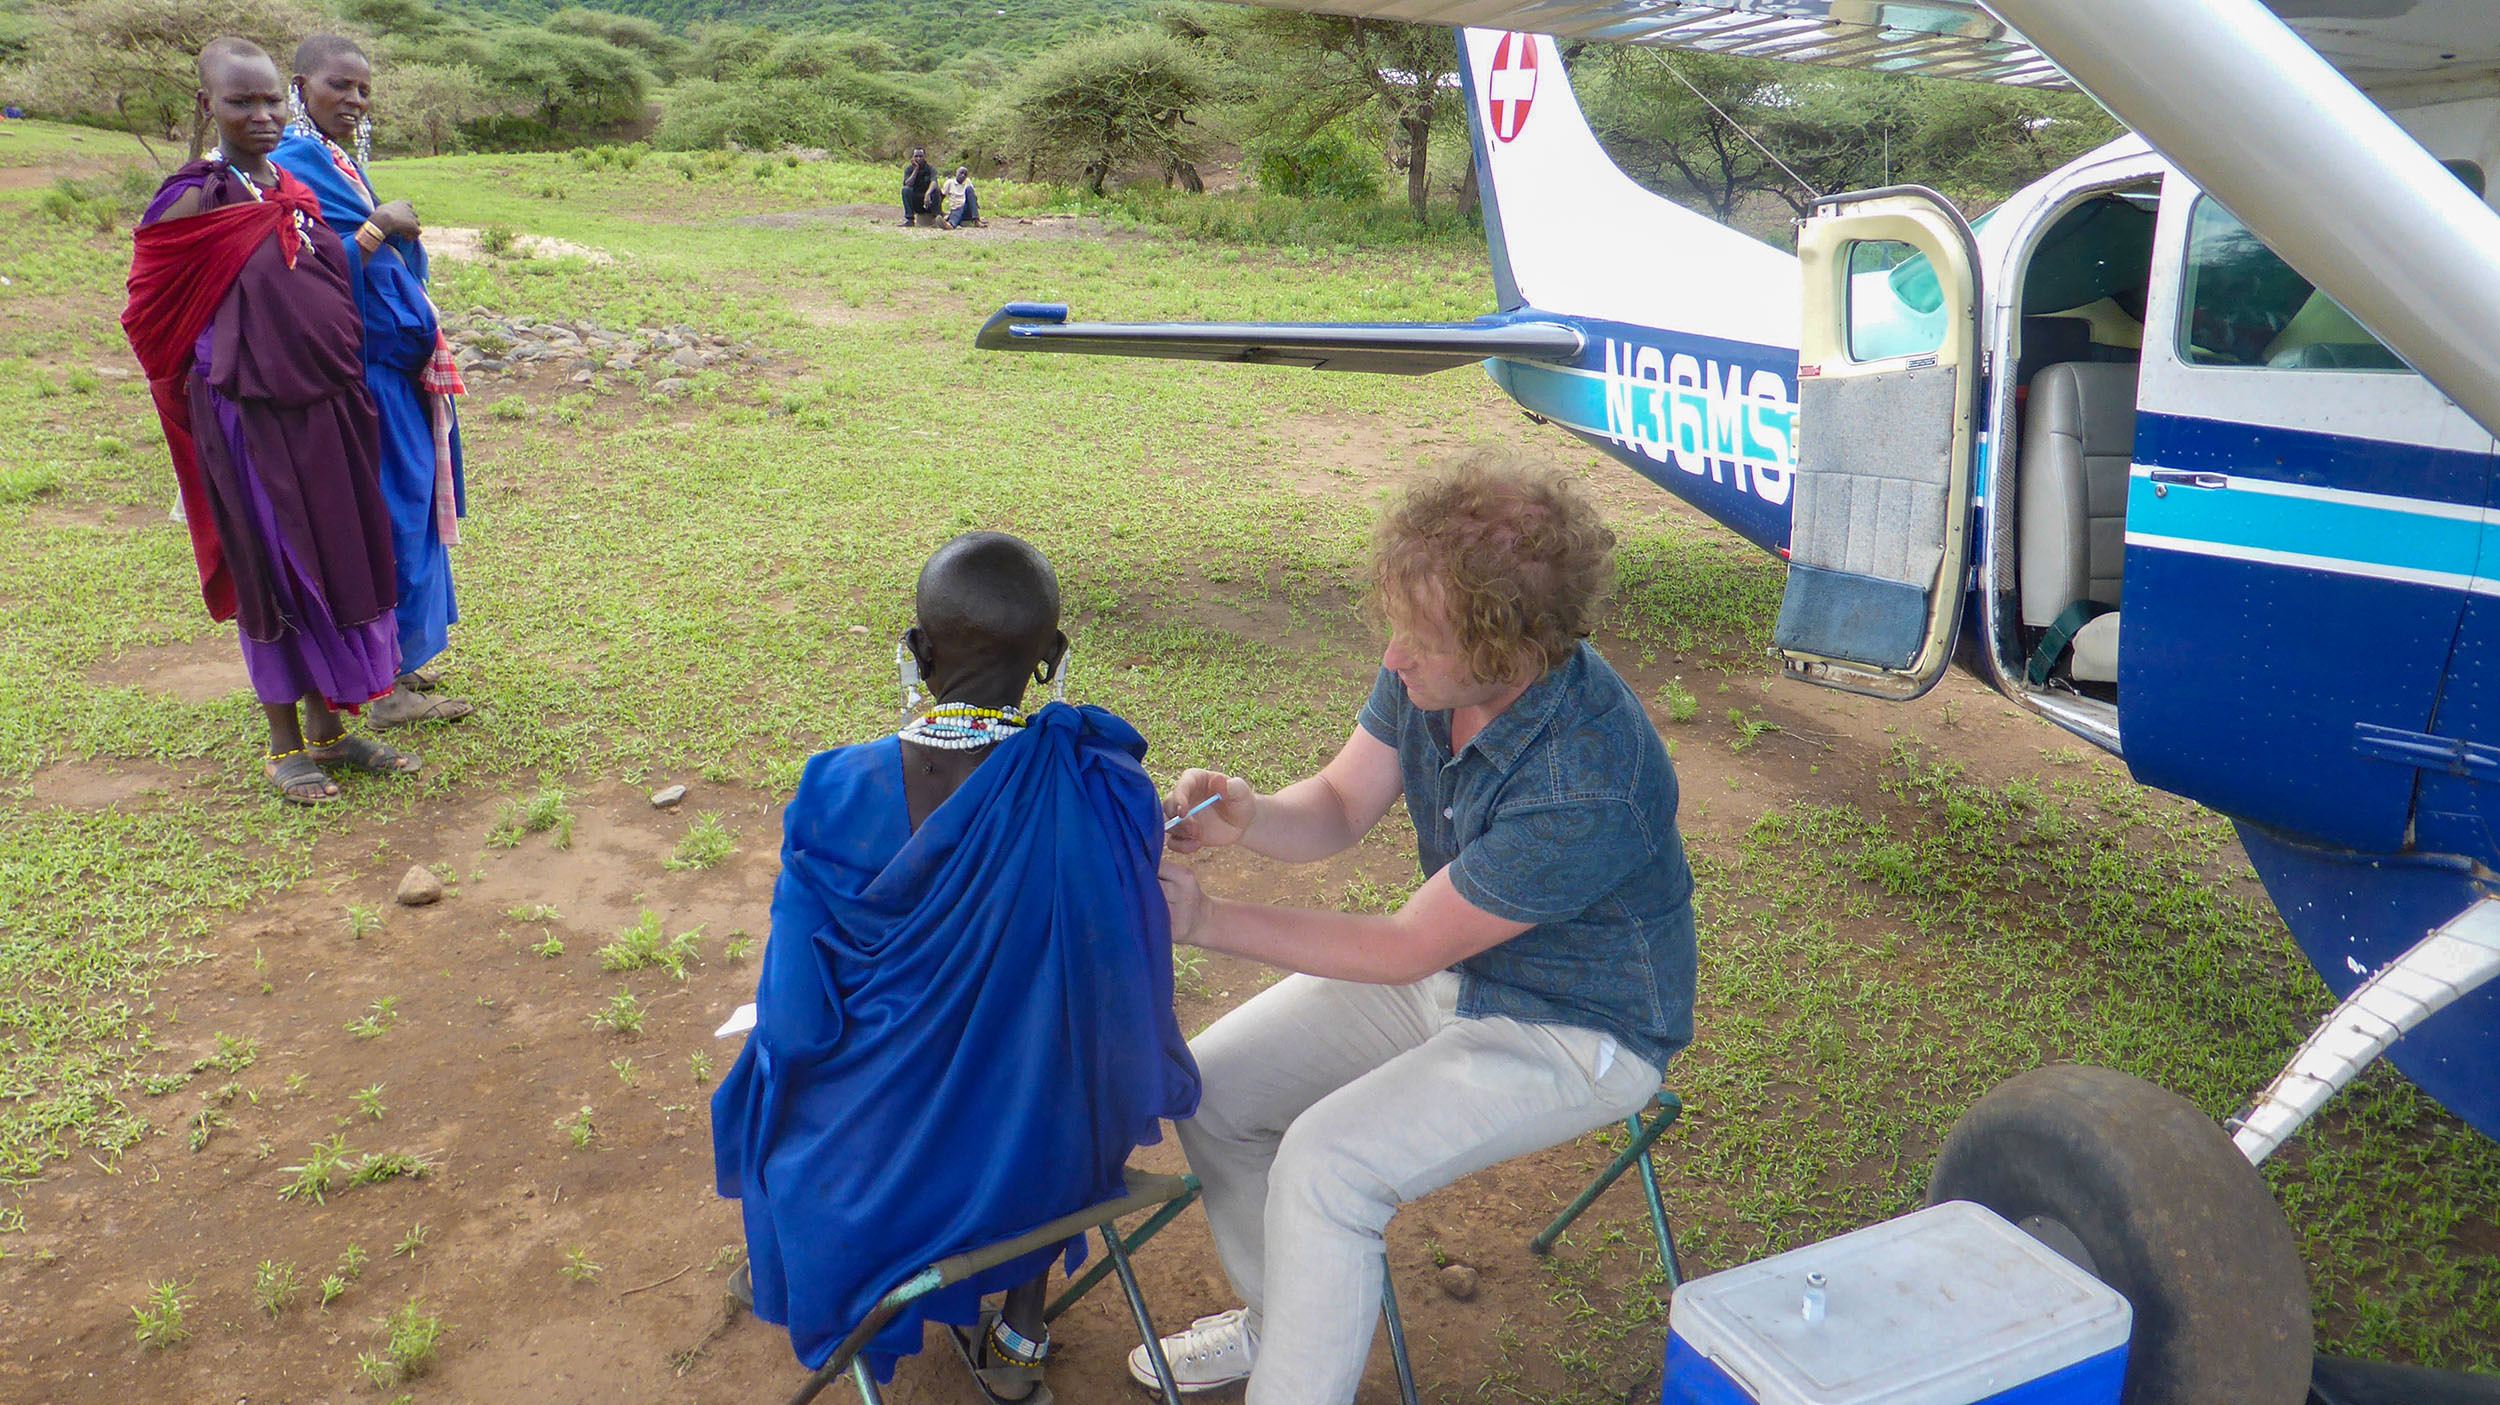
2189, 449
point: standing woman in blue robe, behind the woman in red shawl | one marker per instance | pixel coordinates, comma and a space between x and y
409, 366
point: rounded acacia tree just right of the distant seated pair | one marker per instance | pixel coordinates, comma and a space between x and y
1101, 104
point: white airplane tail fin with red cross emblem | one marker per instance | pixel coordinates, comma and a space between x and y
1574, 234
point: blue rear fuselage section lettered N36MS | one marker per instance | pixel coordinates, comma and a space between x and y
1706, 419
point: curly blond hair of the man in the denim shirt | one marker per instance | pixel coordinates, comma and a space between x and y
1511, 554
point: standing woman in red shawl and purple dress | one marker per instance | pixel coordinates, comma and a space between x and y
246, 324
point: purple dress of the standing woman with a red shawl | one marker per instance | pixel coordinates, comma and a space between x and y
289, 451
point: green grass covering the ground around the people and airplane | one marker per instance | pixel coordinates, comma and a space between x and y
669, 586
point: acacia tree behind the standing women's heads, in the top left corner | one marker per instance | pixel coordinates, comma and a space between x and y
131, 61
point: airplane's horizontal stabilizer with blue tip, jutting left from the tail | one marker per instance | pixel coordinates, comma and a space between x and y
1384, 349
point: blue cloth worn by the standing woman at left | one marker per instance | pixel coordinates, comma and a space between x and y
399, 344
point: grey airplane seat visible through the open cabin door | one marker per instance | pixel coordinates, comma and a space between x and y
2071, 511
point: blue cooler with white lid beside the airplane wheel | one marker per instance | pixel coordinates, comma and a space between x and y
1949, 1306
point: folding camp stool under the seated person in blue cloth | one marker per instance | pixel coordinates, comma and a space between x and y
1164, 1194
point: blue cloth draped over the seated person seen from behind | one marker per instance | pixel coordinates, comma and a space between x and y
959, 1034
